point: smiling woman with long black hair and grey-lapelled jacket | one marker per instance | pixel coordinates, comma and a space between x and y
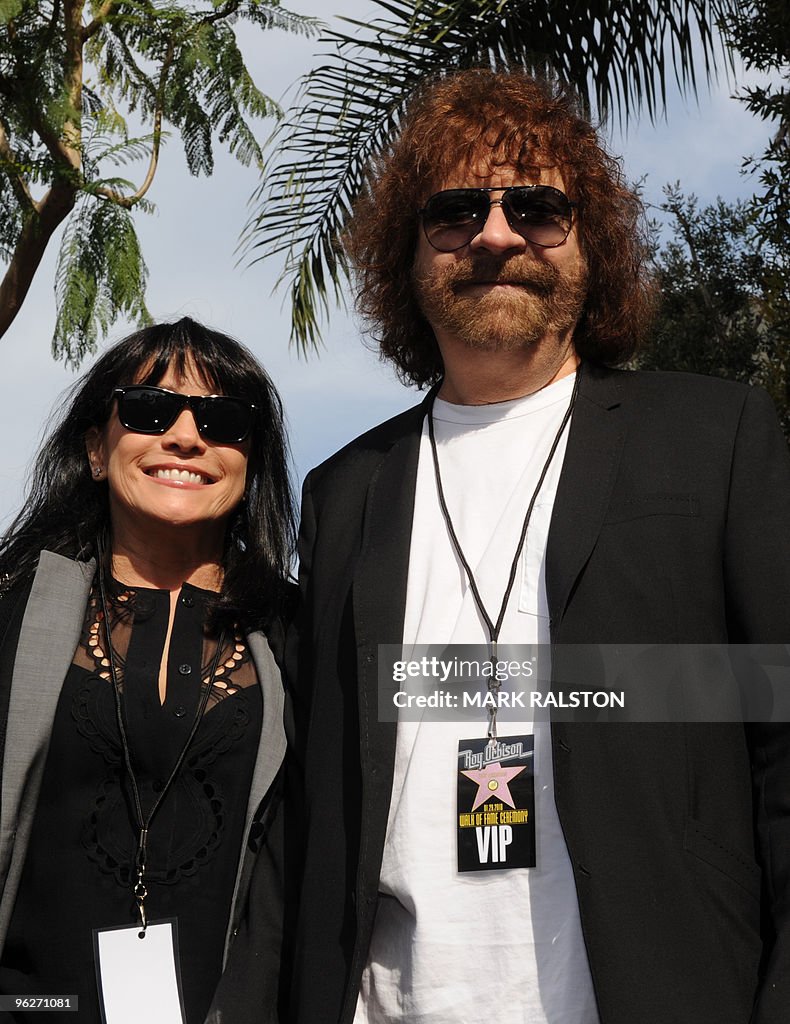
140, 700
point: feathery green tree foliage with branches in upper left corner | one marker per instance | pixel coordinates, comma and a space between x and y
72, 72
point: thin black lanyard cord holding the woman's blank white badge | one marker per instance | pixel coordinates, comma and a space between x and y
144, 822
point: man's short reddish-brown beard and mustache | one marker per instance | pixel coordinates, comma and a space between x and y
546, 301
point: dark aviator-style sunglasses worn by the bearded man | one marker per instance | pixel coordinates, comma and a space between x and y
542, 215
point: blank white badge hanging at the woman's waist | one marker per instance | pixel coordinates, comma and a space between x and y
139, 979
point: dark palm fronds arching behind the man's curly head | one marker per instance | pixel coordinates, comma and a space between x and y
619, 57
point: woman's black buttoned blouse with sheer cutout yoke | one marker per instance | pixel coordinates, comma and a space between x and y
78, 872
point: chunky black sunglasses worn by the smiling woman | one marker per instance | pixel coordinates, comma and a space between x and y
148, 410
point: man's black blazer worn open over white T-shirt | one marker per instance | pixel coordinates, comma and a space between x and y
672, 525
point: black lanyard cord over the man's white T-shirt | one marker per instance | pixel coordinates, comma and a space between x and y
495, 628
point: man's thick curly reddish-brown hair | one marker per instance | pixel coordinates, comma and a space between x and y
483, 118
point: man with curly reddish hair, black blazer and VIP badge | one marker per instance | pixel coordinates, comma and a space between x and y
501, 261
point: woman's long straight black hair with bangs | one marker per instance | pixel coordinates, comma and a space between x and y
66, 511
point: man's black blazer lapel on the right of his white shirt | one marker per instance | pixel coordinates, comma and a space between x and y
590, 470
